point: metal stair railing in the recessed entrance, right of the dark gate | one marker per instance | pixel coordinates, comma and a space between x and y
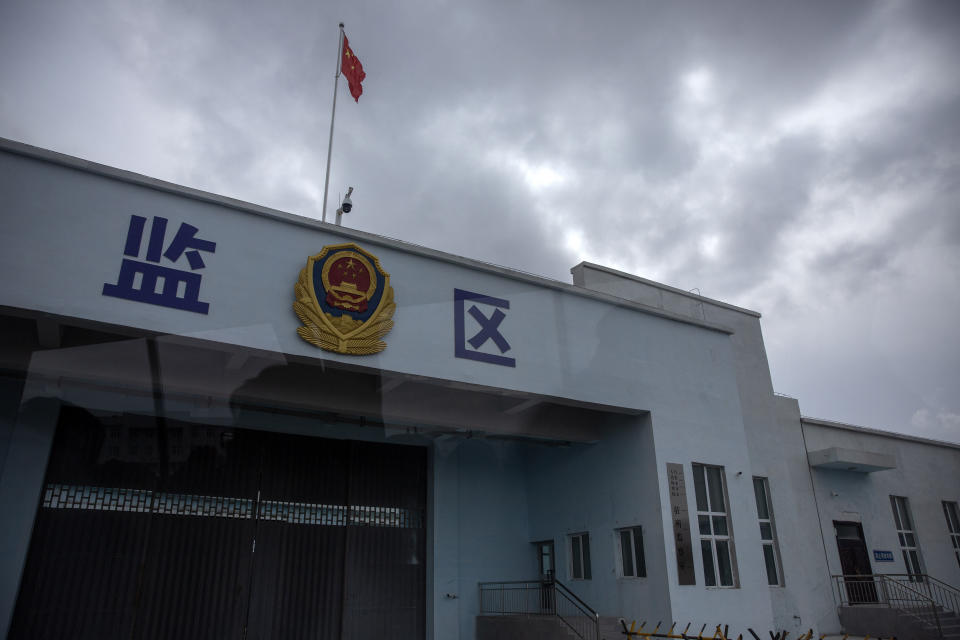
539, 597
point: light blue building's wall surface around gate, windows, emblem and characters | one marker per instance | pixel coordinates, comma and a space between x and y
615, 377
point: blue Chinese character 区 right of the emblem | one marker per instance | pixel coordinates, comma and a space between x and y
487, 326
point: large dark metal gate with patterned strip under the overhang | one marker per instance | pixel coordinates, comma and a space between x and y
162, 529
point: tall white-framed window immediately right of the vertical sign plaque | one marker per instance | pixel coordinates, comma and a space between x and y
716, 543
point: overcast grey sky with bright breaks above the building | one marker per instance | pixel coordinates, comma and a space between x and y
797, 158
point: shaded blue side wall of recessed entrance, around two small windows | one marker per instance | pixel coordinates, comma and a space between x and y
598, 489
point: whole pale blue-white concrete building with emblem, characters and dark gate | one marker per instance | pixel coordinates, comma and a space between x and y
424, 444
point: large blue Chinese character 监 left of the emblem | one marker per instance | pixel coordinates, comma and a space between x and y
150, 281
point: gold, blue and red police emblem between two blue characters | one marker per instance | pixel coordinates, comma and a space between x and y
345, 301
